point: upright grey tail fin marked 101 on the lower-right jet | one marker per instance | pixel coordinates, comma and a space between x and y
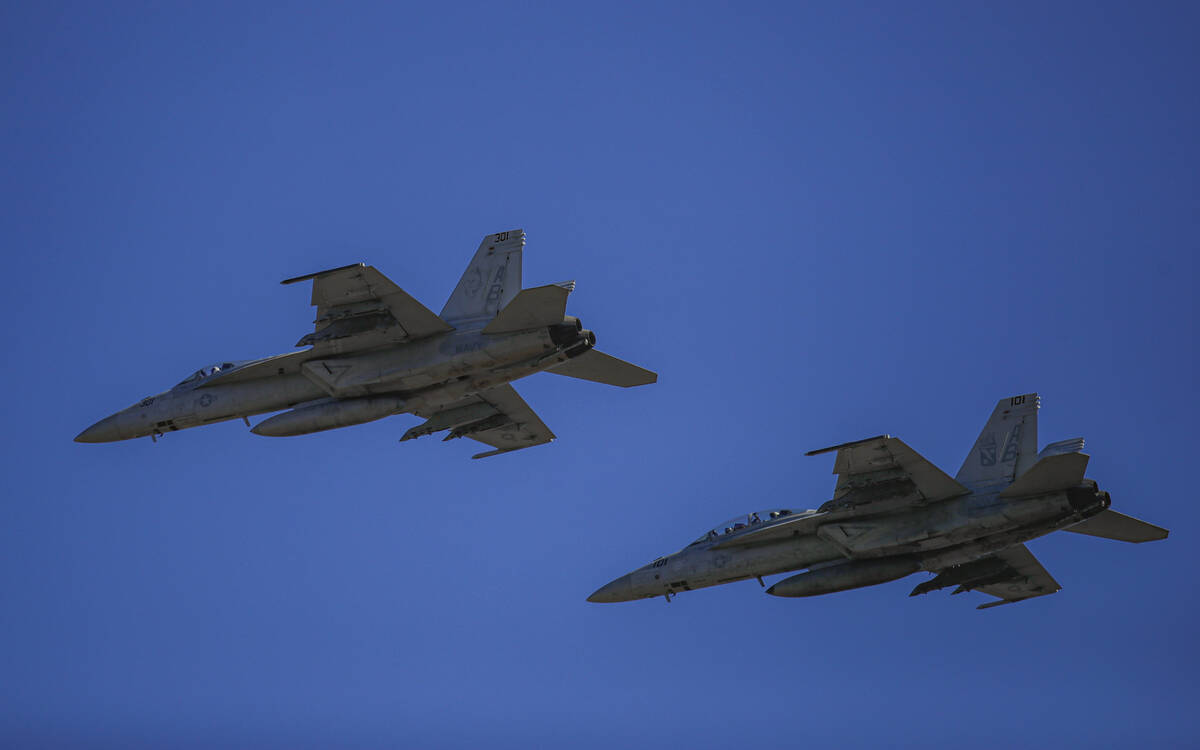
1007, 447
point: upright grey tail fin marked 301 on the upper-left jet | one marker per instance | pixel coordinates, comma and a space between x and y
491, 280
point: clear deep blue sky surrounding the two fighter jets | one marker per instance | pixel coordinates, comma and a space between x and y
818, 223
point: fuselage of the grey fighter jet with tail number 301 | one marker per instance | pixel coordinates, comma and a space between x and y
329, 391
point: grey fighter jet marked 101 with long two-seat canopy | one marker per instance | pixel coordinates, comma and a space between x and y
893, 514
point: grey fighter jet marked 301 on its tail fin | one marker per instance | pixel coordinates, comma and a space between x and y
379, 352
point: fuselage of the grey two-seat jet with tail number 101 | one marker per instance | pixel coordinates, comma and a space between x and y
850, 549
